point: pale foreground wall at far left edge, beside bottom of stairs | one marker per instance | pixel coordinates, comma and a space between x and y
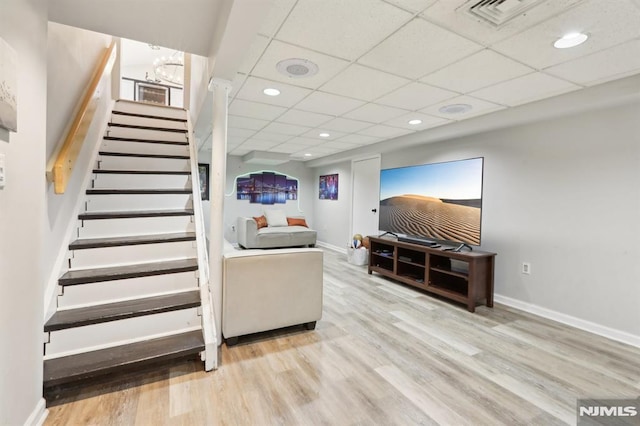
23, 24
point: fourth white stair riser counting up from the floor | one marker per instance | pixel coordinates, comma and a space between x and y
135, 226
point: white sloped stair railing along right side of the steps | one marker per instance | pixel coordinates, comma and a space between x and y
208, 318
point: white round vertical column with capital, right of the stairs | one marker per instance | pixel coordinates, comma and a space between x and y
218, 170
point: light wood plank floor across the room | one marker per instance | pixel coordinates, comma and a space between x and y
382, 354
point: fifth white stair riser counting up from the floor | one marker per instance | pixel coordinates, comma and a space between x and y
127, 202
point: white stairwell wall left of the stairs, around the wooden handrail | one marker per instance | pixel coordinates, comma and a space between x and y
72, 55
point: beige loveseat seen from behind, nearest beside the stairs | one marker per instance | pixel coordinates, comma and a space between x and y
270, 289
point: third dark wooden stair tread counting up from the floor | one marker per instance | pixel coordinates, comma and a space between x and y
86, 276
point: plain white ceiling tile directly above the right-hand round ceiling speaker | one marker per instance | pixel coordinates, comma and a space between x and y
479, 70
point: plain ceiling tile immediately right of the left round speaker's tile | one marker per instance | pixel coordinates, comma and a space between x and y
363, 83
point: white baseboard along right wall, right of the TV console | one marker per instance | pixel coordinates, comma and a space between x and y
601, 330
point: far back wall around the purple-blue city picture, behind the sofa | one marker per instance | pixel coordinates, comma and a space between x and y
234, 207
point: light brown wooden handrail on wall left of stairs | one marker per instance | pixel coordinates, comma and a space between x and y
60, 171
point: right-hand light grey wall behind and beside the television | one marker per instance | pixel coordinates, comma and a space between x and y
563, 195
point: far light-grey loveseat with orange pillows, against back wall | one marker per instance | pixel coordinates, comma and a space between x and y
249, 236
